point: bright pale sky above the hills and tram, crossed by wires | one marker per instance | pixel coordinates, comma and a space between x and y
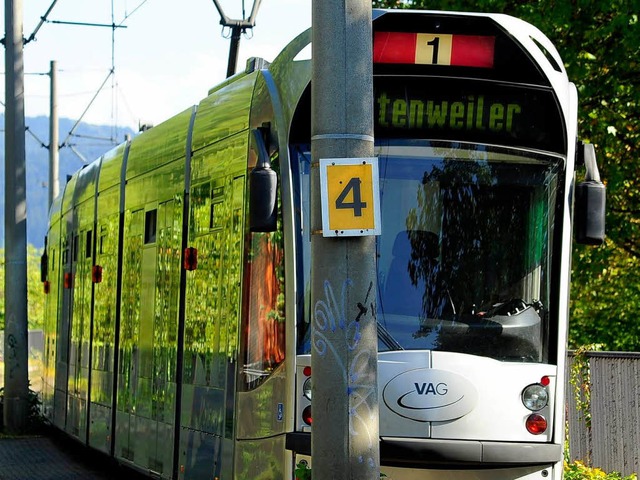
165, 60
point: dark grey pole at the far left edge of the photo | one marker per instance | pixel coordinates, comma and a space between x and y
16, 372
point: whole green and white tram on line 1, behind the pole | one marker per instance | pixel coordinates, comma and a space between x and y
177, 274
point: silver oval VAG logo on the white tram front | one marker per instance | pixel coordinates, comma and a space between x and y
429, 395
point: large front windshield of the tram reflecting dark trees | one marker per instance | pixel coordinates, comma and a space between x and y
464, 258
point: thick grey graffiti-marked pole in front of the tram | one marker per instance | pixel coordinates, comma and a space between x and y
345, 432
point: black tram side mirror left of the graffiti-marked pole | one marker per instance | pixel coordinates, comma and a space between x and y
263, 188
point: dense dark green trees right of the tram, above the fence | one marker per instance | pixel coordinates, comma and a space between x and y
599, 42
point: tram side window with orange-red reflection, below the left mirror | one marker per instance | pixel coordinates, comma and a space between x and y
263, 308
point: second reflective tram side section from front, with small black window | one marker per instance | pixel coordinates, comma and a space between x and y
146, 398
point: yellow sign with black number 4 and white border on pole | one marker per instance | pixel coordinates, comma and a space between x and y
350, 197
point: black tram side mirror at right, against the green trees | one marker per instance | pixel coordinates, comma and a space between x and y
590, 201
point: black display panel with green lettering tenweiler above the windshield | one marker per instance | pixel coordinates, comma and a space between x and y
468, 110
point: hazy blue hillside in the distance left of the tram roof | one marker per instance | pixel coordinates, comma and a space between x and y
89, 141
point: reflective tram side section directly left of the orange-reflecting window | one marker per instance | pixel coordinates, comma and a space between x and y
212, 312
